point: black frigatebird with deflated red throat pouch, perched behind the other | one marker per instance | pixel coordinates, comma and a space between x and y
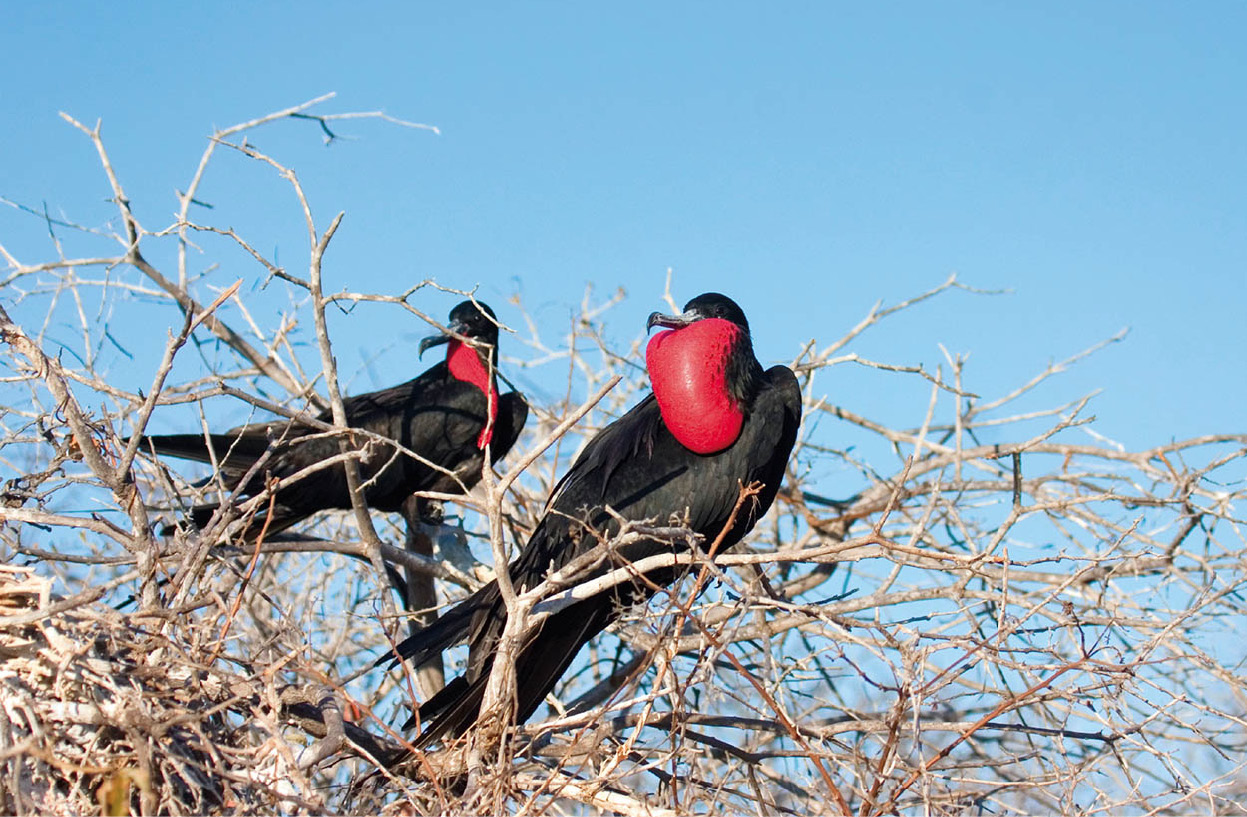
450, 417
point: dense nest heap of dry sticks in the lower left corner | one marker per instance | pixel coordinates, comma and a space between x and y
110, 713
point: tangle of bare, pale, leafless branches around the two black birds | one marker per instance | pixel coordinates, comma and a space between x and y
1007, 613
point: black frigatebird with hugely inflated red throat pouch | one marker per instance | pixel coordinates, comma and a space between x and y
715, 422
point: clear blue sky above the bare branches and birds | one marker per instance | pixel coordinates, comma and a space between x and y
805, 159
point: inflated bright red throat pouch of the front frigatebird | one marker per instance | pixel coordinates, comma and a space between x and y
703, 384
